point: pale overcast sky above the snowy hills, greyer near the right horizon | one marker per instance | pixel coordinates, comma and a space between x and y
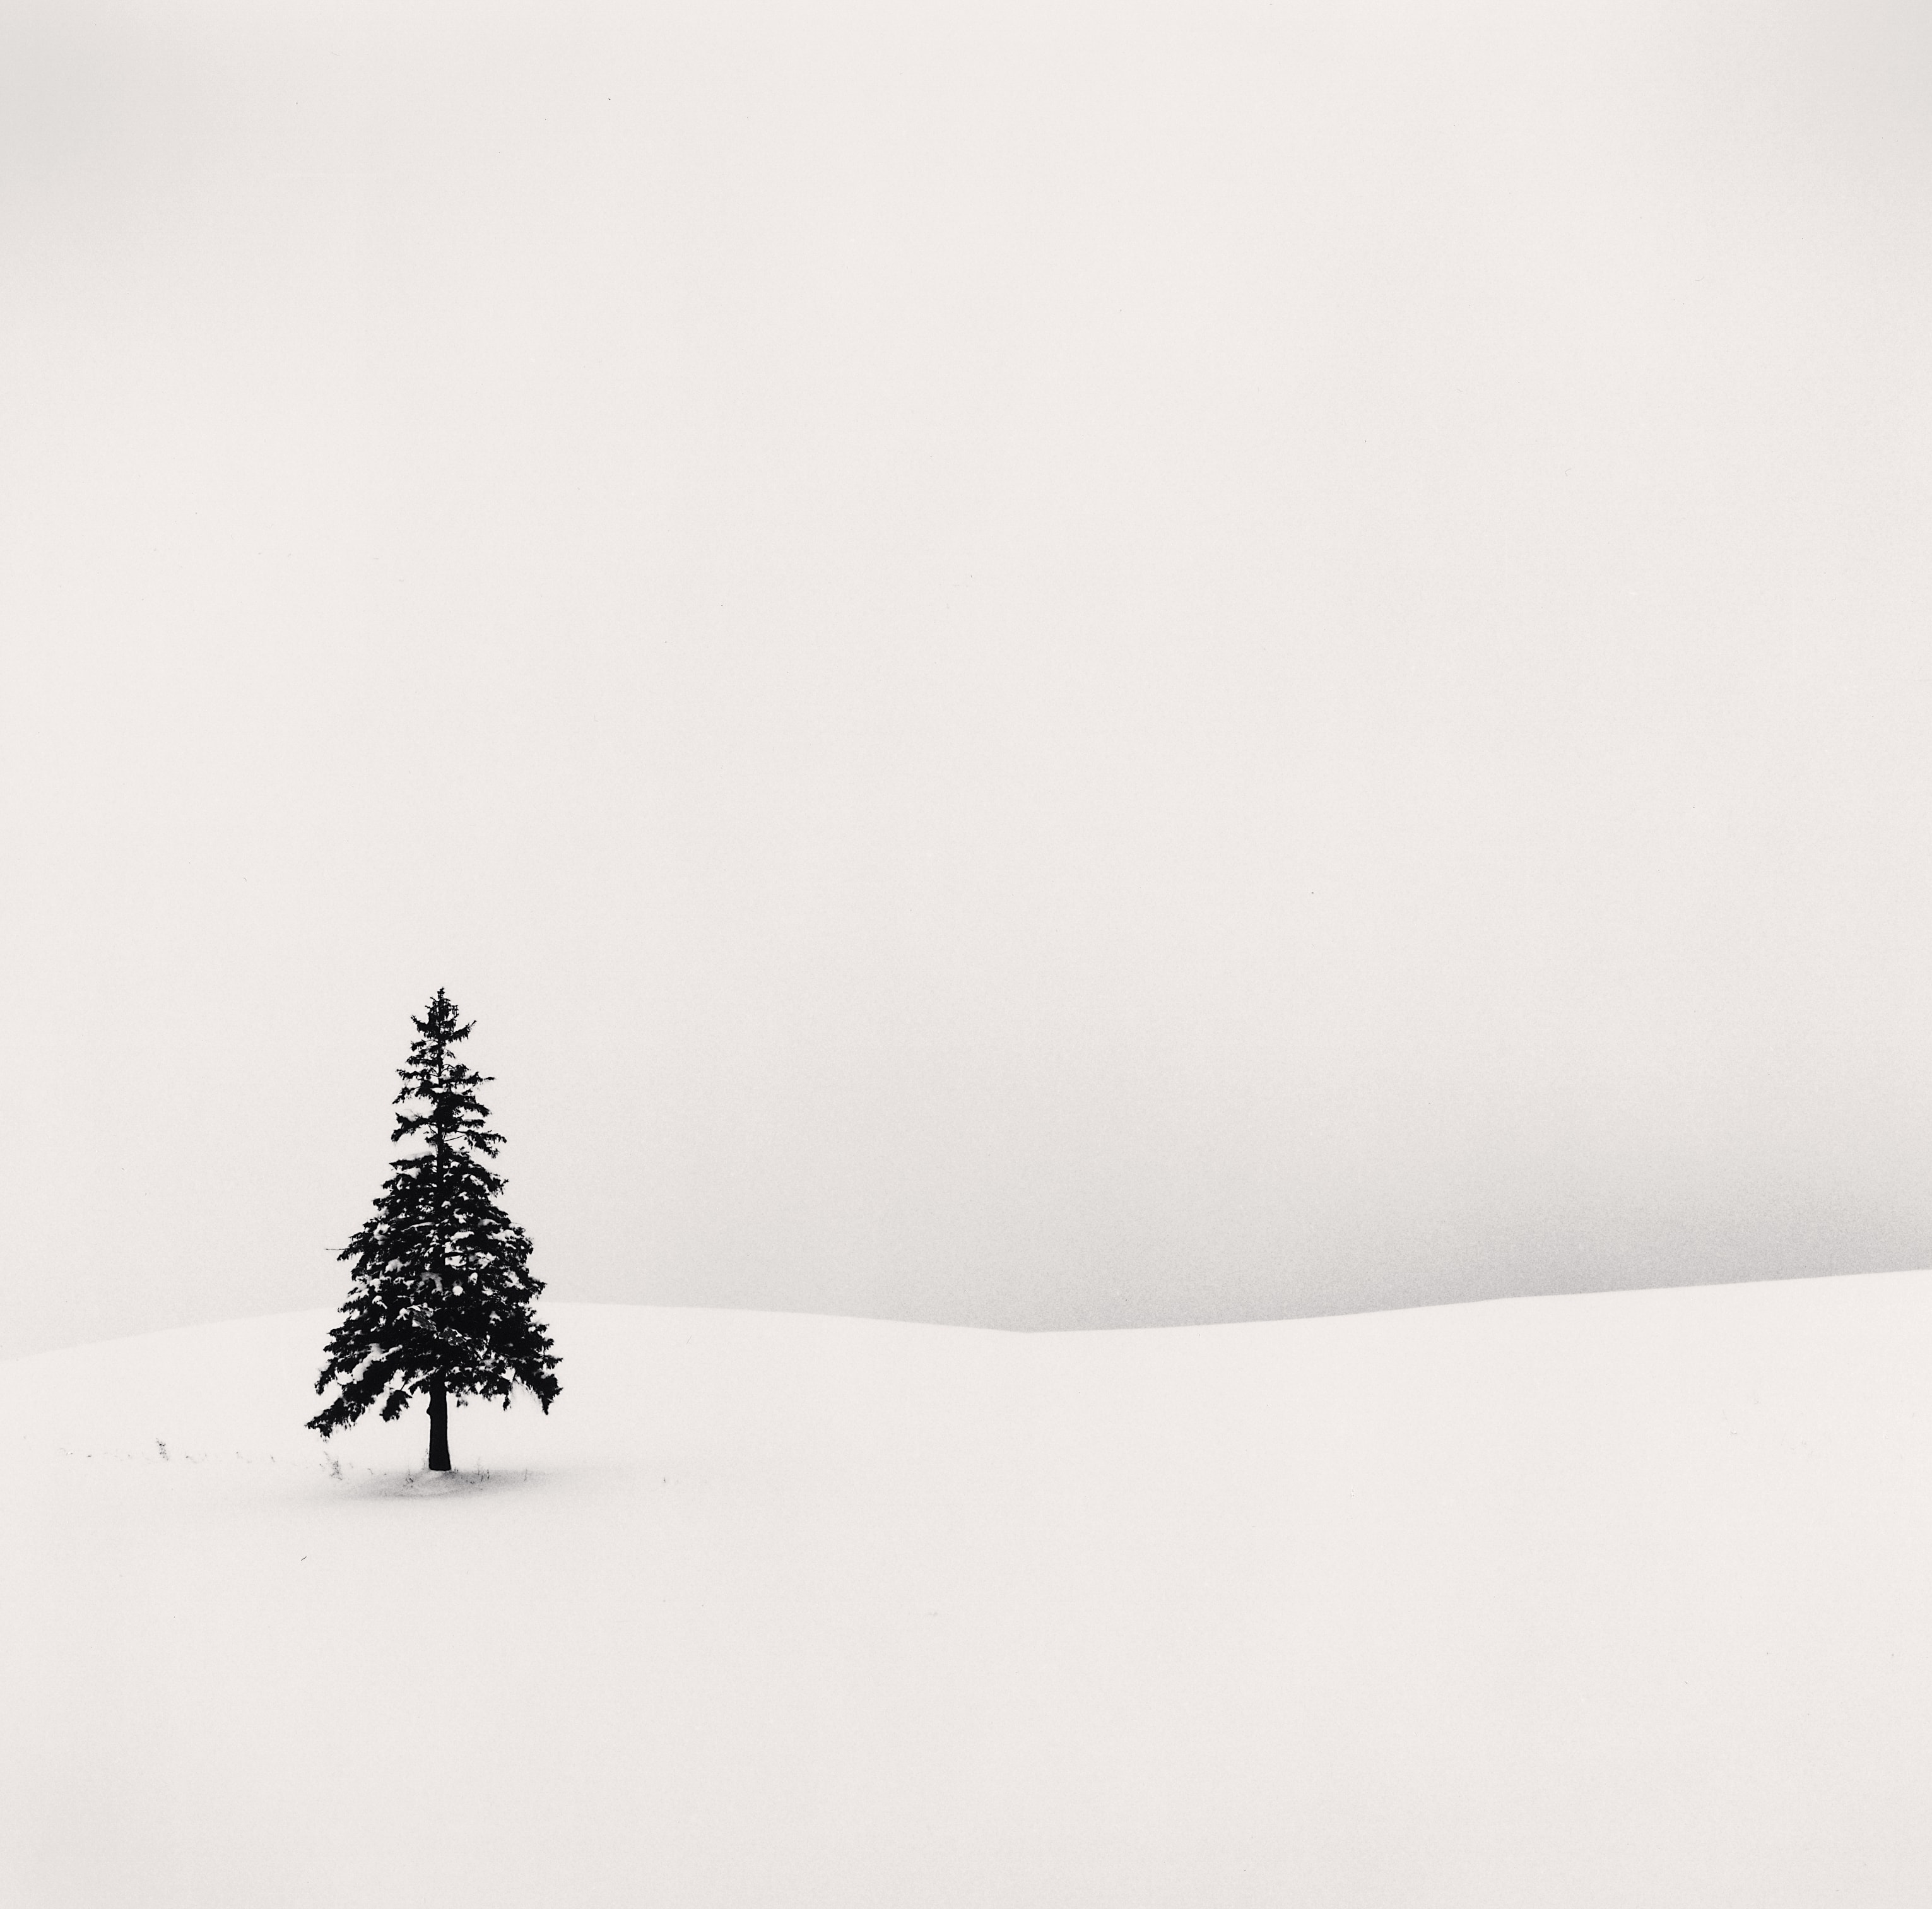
1033, 664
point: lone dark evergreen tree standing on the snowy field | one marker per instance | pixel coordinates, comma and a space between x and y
440, 1301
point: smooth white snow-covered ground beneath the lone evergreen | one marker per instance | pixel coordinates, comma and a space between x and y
1541, 1603
